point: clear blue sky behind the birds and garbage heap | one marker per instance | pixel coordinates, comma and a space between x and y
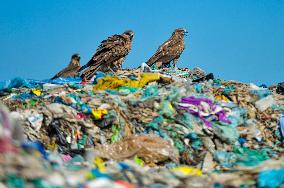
240, 40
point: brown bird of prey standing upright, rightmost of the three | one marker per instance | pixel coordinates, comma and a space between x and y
170, 50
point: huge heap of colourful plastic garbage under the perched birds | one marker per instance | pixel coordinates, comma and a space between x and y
133, 128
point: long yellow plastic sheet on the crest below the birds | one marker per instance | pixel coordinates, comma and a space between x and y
113, 83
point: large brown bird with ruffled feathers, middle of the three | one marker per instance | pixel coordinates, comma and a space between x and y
109, 55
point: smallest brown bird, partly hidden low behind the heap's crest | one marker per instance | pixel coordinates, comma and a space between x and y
72, 70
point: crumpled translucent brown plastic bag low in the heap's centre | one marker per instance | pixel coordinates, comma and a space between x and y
151, 149
